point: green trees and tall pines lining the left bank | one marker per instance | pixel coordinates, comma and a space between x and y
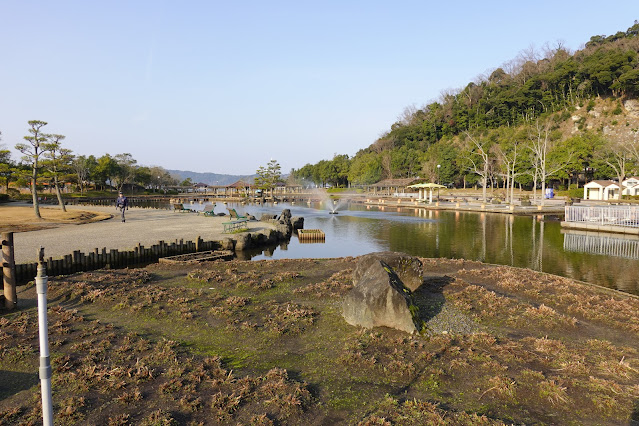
46, 161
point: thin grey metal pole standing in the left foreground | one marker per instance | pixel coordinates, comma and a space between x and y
45, 362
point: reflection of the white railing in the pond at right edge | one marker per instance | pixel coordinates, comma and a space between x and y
606, 245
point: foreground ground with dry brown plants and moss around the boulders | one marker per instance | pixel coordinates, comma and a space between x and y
264, 343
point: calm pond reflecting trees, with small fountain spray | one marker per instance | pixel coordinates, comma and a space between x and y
535, 242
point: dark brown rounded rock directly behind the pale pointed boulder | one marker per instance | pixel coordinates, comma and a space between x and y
409, 268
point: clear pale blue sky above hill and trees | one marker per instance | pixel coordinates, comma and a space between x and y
223, 87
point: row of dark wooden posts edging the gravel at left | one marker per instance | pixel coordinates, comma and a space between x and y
80, 262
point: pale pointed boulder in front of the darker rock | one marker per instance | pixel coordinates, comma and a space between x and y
379, 298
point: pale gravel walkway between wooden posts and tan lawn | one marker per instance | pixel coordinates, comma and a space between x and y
143, 226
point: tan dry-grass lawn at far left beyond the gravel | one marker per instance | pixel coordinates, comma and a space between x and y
22, 218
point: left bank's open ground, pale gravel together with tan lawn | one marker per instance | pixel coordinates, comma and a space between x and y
63, 235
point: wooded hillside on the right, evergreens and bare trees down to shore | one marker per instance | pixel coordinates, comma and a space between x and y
537, 90
